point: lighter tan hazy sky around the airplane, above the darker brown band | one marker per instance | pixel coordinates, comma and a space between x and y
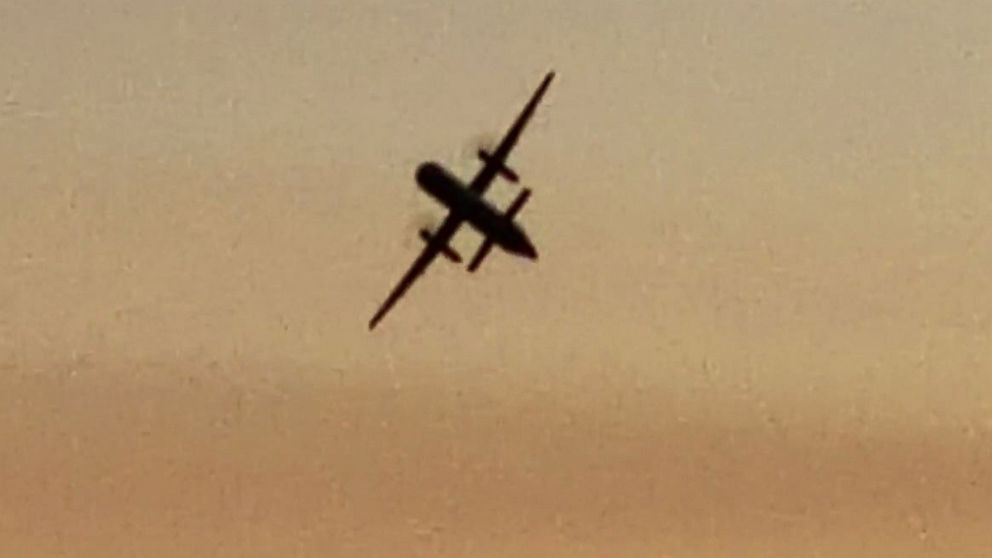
776, 205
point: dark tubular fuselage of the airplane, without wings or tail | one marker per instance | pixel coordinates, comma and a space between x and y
475, 210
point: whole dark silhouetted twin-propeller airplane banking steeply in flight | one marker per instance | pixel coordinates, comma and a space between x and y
467, 204
